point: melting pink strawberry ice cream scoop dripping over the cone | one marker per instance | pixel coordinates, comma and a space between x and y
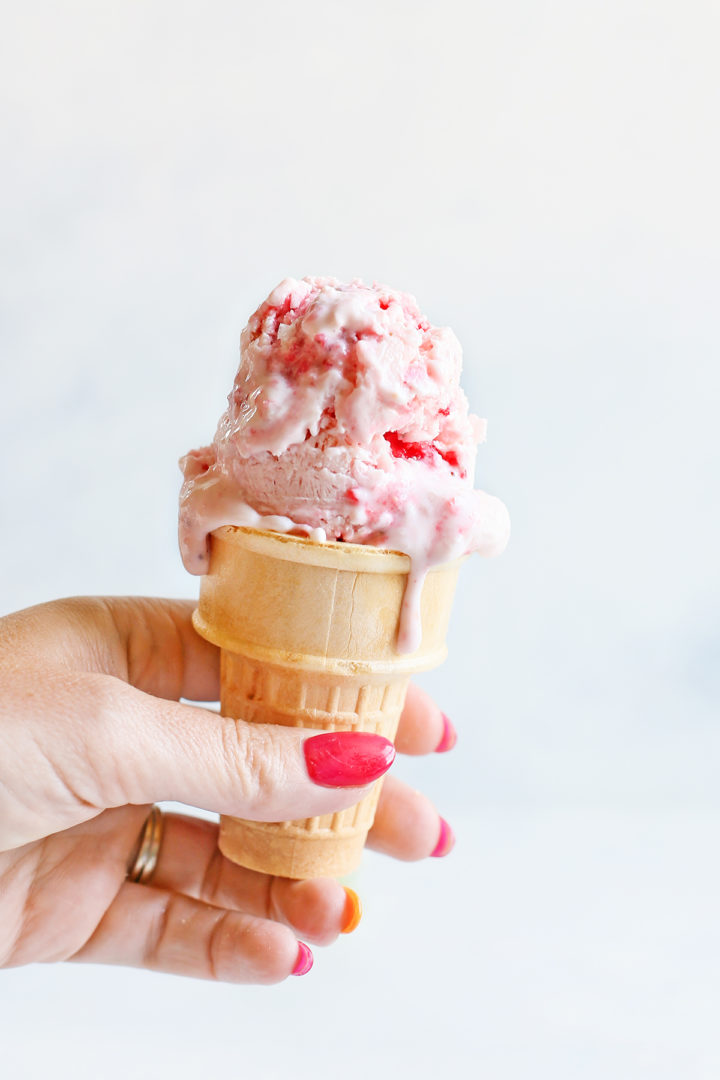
347, 422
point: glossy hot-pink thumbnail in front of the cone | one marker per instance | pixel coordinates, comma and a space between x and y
347, 759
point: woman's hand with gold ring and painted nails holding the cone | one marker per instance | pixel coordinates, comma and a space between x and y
92, 734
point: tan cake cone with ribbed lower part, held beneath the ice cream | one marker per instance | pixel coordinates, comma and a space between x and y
308, 636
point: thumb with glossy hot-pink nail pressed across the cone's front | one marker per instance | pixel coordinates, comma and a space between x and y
151, 750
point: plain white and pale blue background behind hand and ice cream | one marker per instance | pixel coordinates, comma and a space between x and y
544, 178
